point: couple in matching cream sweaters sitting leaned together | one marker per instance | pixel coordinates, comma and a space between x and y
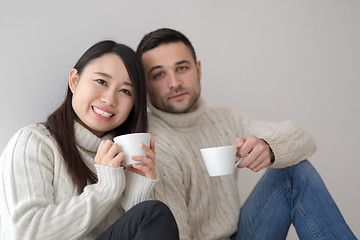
73, 185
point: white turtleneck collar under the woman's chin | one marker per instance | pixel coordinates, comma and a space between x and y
86, 139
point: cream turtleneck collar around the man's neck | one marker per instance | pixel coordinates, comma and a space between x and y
180, 120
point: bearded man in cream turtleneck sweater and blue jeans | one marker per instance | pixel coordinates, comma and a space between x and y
206, 207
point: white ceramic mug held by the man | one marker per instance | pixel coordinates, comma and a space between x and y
220, 160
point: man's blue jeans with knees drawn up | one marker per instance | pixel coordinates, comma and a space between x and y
294, 195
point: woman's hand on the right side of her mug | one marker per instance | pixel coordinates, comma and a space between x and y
148, 169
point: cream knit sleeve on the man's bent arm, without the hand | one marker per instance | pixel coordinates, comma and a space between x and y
288, 140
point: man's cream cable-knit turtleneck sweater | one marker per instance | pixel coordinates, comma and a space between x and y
209, 207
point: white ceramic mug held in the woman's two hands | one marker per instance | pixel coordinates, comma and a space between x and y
130, 145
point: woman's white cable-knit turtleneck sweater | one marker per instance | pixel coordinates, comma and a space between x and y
38, 199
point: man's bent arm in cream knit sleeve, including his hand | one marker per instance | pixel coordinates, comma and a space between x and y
287, 140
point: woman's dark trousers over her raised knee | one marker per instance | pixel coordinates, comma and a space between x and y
146, 220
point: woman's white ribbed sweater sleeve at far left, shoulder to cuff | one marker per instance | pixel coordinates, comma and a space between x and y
28, 207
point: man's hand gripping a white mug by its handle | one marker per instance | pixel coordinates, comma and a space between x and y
259, 153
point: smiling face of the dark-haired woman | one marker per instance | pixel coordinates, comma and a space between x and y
103, 95
